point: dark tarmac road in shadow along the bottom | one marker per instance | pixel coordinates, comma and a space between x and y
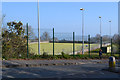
86, 70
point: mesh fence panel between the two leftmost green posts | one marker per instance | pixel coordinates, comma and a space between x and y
46, 37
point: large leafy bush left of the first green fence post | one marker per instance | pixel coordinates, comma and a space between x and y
14, 40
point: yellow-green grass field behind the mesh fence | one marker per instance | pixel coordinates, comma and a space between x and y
59, 47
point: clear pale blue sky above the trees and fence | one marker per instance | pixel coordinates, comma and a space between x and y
65, 17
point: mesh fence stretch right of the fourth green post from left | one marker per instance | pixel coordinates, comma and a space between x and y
109, 46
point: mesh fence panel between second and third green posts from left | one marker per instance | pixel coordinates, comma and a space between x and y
63, 43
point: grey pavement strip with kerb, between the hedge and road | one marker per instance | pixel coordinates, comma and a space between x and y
38, 63
